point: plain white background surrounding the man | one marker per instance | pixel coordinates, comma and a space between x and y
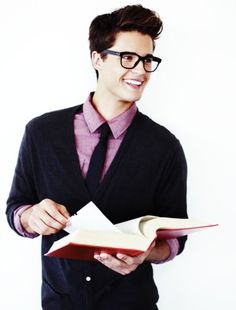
45, 65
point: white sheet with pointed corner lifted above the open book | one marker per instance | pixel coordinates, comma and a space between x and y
90, 218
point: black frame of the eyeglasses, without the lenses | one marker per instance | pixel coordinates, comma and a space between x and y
140, 58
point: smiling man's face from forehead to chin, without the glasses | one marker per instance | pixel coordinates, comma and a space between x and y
118, 83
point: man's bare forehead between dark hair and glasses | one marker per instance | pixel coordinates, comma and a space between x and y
133, 41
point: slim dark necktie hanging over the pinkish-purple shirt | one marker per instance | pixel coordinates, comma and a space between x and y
97, 160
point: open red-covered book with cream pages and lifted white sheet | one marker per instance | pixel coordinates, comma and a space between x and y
91, 232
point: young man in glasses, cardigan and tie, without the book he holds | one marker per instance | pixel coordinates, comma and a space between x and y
144, 171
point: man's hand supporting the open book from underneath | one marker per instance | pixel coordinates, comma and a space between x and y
122, 263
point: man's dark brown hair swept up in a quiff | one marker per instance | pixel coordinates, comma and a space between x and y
104, 28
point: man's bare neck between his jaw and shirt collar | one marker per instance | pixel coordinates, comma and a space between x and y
108, 107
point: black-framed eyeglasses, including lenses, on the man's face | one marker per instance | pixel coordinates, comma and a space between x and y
130, 60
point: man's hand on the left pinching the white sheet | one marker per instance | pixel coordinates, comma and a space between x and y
45, 218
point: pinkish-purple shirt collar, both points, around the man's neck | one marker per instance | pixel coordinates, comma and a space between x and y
118, 124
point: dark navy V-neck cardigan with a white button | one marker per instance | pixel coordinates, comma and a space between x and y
147, 176
